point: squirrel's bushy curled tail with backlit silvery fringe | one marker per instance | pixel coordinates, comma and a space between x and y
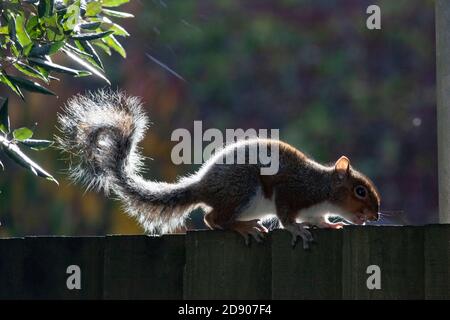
100, 132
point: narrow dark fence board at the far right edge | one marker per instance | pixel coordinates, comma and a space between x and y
437, 261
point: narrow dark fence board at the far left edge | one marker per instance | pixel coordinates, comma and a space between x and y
11, 268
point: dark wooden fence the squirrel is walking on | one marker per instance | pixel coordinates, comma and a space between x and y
413, 263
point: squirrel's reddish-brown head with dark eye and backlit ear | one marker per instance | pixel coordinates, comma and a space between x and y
354, 193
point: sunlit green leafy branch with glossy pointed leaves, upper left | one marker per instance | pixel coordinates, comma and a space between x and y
32, 32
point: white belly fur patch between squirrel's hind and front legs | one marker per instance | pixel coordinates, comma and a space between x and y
259, 208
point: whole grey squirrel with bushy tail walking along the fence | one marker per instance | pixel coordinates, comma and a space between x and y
101, 132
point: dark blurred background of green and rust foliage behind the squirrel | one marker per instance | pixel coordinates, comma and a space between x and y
309, 68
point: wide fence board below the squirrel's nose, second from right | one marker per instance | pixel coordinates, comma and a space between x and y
398, 251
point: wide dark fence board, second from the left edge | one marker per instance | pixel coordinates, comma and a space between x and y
46, 261
